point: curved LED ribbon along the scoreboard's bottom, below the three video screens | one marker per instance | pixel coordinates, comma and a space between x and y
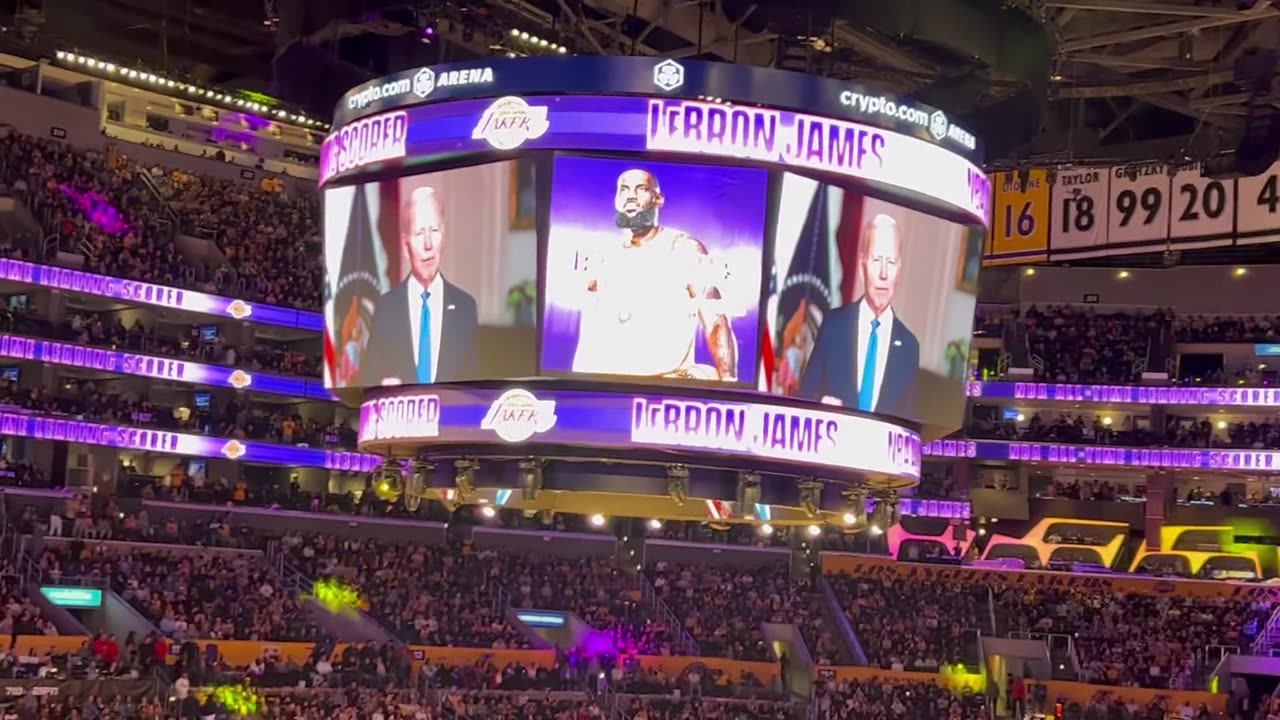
616, 421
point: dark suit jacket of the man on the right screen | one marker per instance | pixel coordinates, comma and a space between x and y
833, 367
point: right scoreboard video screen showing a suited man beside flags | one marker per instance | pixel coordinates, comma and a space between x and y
871, 304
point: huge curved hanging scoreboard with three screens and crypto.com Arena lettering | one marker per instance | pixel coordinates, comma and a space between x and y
652, 288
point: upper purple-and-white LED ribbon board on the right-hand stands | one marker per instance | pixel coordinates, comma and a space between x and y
1130, 395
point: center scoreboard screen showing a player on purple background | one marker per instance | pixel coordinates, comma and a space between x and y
653, 271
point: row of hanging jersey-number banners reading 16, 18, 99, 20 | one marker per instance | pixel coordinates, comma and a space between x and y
1127, 209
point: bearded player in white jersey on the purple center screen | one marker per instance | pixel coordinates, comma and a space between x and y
652, 297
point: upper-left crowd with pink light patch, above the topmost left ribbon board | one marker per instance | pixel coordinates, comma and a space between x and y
98, 203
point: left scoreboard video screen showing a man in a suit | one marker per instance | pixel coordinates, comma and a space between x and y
431, 279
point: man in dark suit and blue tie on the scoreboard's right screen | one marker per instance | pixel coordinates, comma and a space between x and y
866, 358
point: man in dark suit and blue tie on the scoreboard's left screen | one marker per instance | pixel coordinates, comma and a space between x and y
424, 329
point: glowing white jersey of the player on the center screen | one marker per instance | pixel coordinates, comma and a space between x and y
642, 320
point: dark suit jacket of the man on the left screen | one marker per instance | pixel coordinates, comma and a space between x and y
391, 354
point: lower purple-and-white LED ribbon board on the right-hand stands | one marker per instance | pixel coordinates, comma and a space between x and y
1107, 455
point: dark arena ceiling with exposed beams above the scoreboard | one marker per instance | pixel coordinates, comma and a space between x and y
1123, 79
